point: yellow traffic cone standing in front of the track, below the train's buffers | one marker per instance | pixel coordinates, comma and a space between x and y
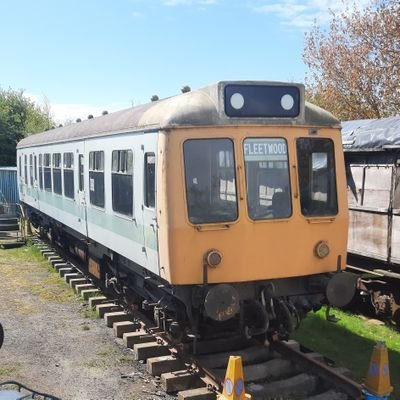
234, 381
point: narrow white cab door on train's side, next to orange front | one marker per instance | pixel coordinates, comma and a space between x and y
150, 226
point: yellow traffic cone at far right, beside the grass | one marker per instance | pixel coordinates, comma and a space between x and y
377, 381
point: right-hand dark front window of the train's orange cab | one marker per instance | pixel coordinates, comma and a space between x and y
317, 177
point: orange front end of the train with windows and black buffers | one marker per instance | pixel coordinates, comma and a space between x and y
257, 224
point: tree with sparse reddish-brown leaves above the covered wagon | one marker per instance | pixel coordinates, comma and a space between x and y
355, 64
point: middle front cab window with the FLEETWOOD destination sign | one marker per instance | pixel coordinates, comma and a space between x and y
267, 178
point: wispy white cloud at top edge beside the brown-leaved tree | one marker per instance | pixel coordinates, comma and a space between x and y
303, 13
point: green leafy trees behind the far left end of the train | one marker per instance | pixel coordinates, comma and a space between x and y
18, 117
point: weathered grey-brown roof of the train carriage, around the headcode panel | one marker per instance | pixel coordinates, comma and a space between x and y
203, 107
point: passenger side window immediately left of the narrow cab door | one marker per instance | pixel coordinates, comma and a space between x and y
122, 182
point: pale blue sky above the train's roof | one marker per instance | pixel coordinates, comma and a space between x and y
89, 55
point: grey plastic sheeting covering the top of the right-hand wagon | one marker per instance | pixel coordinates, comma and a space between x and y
371, 134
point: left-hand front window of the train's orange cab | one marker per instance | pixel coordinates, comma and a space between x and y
210, 177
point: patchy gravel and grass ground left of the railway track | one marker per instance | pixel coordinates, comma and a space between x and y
54, 344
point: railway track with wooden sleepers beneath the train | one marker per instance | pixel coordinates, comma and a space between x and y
277, 370
